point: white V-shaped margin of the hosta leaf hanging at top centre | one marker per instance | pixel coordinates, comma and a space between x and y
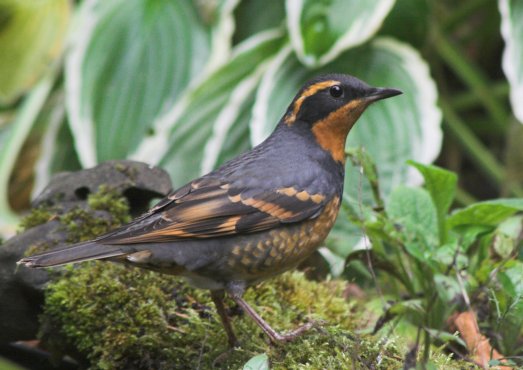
359, 32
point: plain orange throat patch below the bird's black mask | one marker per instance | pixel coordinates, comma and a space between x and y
331, 132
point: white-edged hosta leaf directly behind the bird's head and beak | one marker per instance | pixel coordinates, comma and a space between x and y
392, 131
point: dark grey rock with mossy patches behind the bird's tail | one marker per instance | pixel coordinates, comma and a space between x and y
21, 289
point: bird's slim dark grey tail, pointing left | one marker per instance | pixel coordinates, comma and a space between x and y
76, 253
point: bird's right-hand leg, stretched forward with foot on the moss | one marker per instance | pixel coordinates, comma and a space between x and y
236, 292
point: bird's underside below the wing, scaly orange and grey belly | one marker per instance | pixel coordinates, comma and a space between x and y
212, 263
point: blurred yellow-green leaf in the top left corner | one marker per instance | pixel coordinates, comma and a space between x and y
32, 34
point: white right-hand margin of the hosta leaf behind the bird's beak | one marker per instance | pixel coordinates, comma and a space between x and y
429, 145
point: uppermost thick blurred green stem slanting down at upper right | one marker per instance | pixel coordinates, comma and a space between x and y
471, 76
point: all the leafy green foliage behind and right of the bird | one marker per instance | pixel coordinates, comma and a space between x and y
187, 85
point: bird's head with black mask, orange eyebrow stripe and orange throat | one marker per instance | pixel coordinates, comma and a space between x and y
330, 105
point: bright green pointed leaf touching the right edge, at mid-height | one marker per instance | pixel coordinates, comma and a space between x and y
487, 213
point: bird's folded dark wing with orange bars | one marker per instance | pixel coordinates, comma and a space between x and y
208, 207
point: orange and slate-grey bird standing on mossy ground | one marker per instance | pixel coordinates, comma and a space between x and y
257, 216
